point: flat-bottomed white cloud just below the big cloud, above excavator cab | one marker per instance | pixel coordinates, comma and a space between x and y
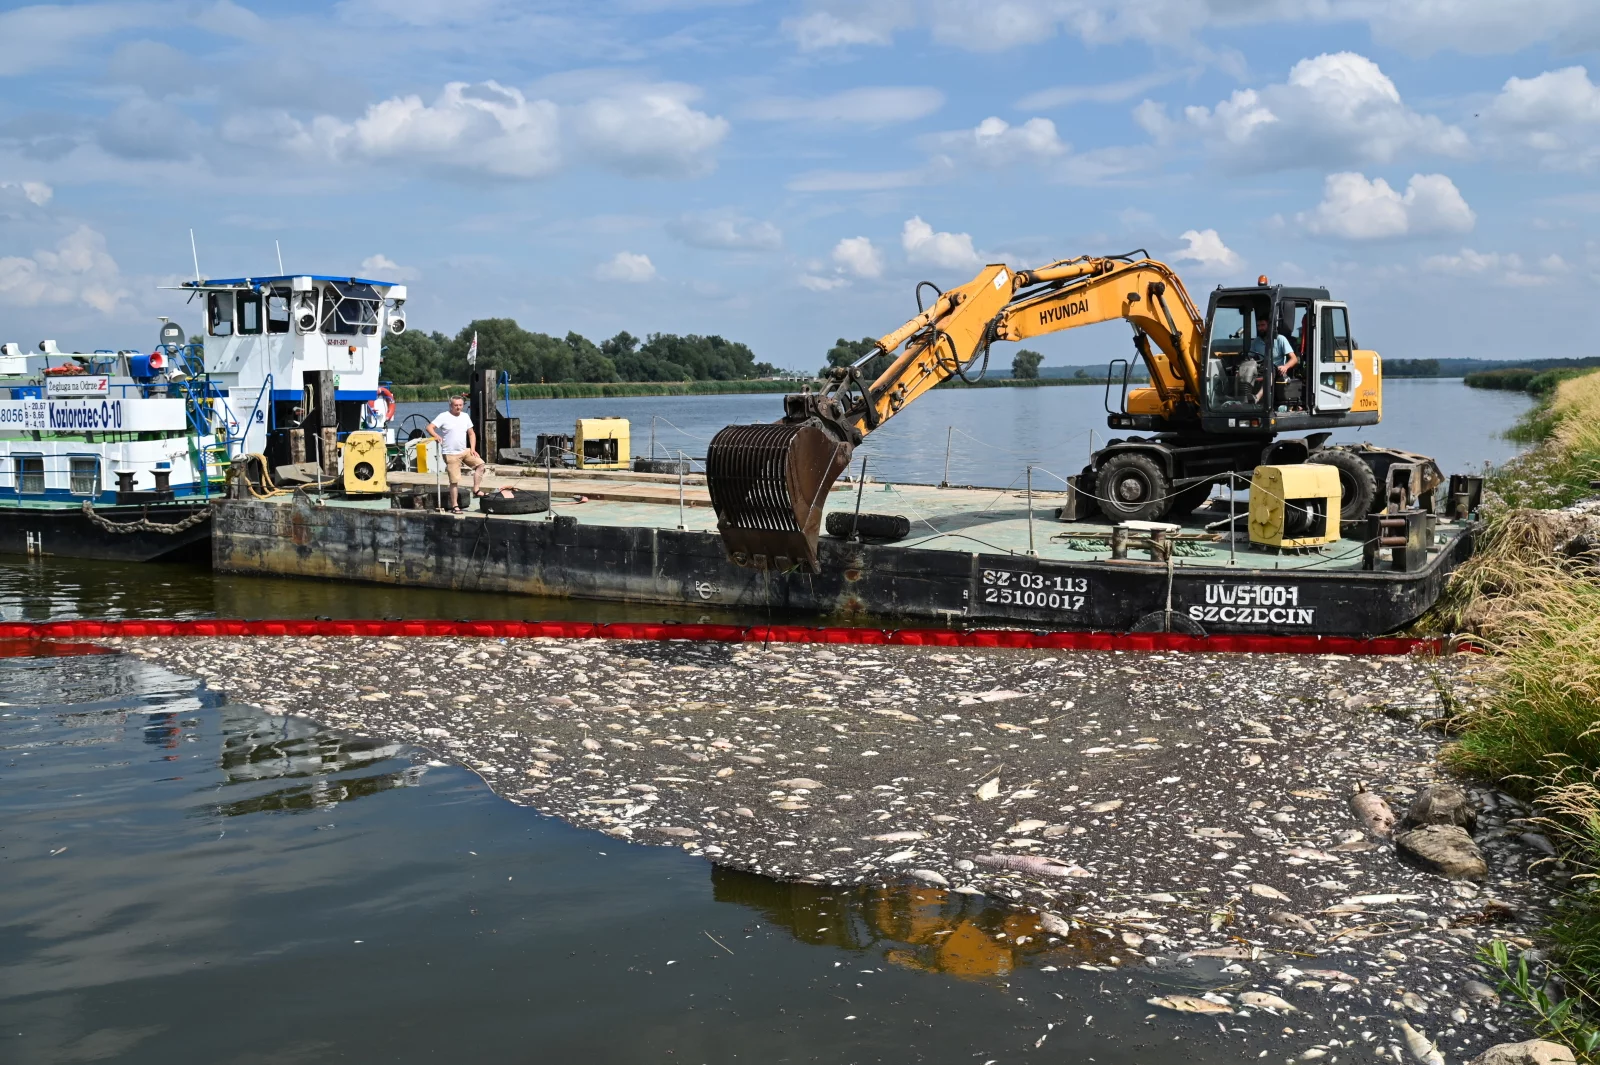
1358, 209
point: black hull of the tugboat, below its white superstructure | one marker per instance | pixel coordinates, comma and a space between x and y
170, 532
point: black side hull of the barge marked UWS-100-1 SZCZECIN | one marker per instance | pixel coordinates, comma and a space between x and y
858, 583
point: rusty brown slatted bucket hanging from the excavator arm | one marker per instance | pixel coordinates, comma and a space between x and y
769, 485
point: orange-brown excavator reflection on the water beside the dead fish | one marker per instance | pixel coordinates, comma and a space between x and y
916, 928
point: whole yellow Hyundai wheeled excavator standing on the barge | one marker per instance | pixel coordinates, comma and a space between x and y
1263, 361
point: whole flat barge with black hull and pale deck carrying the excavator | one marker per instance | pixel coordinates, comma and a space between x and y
975, 557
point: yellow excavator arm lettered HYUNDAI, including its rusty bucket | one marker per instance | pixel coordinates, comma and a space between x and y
769, 484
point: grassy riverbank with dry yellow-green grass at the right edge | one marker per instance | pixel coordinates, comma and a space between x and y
1534, 594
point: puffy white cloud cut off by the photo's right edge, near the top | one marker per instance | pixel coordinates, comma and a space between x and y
1554, 118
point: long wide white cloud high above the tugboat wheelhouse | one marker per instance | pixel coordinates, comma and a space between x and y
497, 130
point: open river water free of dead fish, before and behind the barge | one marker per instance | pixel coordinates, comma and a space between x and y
191, 880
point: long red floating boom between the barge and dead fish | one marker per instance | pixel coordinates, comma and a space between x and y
18, 636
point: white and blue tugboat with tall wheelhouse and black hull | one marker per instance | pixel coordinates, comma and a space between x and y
121, 455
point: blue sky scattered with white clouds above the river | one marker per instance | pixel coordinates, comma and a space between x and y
786, 174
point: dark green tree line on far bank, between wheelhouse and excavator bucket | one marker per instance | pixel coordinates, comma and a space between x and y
540, 359
